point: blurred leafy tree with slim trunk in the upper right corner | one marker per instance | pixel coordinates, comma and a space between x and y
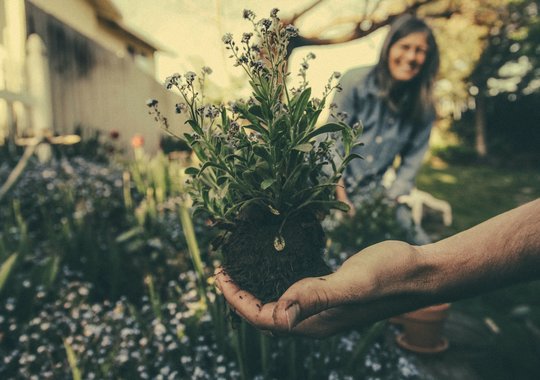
509, 61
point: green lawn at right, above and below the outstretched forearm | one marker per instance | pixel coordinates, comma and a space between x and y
477, 193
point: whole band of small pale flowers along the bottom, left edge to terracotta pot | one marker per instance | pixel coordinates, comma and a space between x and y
174, 339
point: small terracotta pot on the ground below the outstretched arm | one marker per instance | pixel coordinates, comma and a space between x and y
423, 328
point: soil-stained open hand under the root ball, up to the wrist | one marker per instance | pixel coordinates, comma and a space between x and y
357, 294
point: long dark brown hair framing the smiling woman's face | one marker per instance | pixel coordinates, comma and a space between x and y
414, 100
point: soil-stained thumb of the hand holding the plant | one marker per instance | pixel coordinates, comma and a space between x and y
302, 300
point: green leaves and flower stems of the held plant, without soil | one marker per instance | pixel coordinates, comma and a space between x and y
266, 150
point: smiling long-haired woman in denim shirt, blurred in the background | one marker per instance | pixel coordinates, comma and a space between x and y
393, 101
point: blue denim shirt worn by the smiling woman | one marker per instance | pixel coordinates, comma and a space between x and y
386, 135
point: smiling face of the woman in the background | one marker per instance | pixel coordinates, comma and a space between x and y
407, 56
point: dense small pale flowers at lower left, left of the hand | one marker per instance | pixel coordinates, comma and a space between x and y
112, 339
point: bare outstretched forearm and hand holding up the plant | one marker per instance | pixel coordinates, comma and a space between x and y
392, 277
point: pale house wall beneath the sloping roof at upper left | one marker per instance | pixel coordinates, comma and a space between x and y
94, 88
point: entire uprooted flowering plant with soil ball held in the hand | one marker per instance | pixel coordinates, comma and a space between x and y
266, 176
